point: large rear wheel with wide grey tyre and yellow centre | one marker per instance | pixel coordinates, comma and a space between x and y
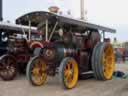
103, 61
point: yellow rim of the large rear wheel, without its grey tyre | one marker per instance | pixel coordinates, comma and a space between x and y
108, 62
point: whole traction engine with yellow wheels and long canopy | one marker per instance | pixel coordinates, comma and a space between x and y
71, 48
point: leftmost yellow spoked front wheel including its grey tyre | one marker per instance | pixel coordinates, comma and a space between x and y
37, 71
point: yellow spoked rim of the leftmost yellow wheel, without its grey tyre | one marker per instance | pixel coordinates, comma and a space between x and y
39, 71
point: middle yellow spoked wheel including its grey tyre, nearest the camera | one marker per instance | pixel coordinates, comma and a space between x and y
68, 72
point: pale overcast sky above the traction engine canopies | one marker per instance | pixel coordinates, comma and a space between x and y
110, 13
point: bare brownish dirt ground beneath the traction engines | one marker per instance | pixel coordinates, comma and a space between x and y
90, 87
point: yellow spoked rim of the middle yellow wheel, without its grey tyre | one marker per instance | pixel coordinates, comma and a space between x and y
70, 73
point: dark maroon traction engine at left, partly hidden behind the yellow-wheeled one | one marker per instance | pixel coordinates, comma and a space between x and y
19, 48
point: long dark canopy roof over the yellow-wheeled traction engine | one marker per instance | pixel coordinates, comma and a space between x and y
39, 16
